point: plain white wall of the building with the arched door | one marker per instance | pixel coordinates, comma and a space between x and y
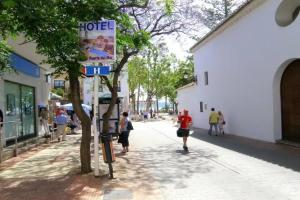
245, 58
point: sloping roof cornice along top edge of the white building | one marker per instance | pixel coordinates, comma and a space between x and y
244, 9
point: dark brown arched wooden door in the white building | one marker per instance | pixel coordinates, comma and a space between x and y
290, 102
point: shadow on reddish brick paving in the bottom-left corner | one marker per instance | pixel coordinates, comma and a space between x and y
70, 187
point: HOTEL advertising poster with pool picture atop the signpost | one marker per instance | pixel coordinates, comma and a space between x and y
98, 40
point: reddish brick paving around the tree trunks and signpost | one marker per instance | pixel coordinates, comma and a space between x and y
53, 172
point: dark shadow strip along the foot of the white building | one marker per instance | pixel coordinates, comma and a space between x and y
282, 155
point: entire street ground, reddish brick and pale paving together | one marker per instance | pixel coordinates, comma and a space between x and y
156, 168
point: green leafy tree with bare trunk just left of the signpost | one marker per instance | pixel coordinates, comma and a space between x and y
53, 26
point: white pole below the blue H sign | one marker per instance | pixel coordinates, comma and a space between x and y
96, 136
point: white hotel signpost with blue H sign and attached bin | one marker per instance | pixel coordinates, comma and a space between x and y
98, 43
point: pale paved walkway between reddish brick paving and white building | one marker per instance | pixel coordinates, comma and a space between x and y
220, 171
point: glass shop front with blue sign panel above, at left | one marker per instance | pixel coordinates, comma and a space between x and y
20, 93
